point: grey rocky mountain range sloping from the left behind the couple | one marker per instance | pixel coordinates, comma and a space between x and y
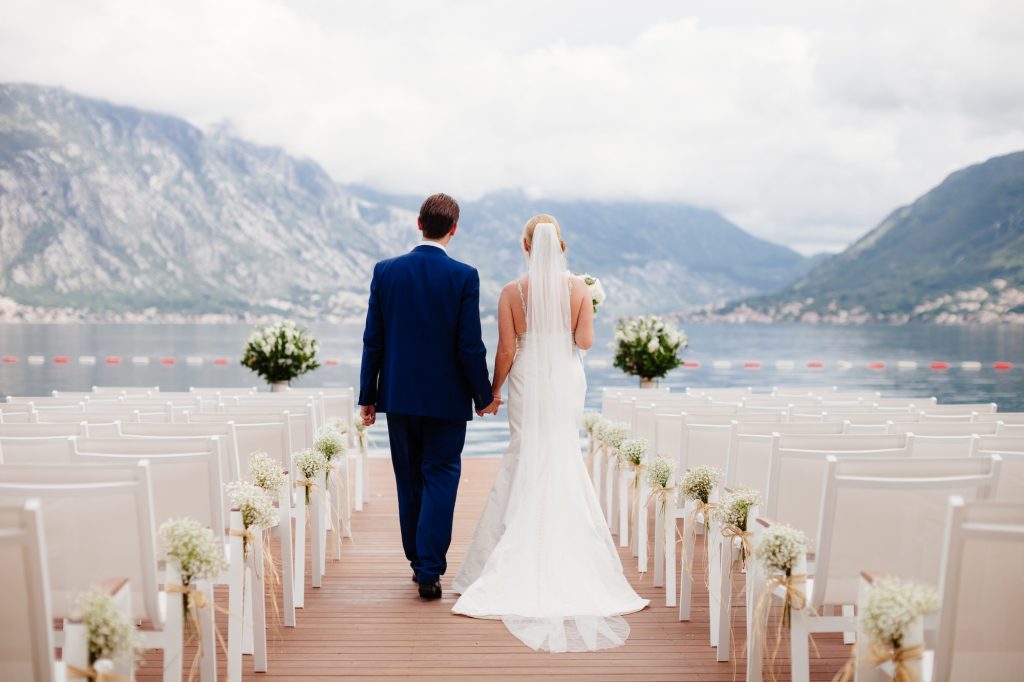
113, 210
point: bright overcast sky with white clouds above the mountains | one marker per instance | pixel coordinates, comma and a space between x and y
803, 121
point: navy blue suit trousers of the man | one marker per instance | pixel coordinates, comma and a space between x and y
426, 454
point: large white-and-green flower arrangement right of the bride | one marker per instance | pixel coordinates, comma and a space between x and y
648, 347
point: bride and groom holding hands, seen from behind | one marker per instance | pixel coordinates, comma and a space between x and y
542, 559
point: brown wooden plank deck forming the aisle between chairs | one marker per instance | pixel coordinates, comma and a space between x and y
368, 622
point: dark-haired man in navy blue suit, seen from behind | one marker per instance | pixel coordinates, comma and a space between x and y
424, 365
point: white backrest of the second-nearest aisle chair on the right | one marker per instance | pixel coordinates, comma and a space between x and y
888, 518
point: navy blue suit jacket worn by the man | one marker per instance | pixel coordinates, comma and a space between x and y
422, 350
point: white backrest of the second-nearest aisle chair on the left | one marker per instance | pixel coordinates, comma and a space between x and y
100, 524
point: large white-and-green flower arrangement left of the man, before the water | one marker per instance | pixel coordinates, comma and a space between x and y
281, 353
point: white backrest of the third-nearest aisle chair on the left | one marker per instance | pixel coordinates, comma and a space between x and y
184, 485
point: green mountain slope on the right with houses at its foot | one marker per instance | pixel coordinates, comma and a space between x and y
958, 249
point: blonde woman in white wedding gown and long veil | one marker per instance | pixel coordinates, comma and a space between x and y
542, 559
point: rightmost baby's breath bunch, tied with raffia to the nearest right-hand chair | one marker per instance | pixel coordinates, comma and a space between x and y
892, 620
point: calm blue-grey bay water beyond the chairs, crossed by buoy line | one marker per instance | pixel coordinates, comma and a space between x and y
834, 348
